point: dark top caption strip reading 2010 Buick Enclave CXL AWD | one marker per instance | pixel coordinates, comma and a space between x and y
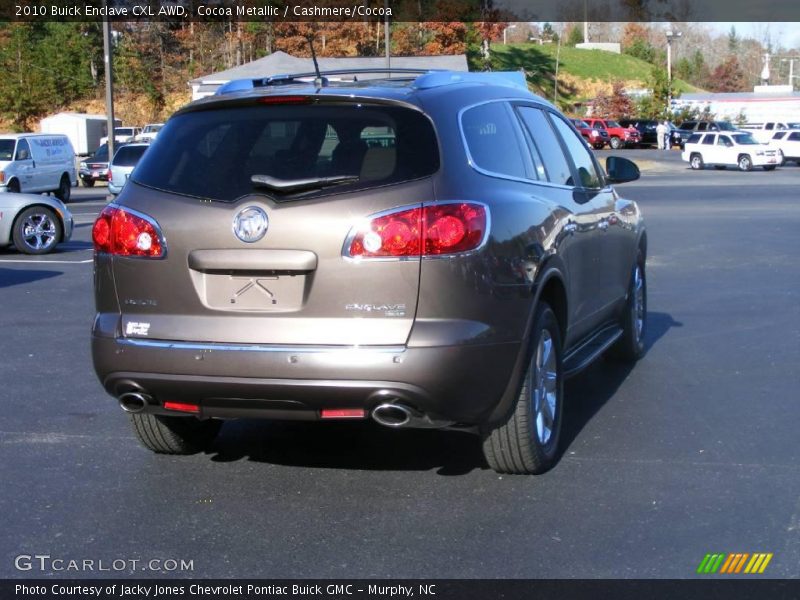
277, 11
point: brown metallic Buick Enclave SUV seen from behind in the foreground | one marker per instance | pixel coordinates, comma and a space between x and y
428, 250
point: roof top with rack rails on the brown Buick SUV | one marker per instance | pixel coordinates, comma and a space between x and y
424, 78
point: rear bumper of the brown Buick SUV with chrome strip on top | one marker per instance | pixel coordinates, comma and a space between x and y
457, 383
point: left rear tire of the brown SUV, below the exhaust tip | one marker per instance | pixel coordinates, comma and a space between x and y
174, 435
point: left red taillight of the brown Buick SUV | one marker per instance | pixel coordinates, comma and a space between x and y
125, 233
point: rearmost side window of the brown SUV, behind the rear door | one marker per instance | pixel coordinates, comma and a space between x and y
492, 141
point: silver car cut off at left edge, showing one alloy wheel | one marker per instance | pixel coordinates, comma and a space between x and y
33, 223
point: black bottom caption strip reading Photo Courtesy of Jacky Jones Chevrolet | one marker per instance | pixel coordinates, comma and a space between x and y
432, 589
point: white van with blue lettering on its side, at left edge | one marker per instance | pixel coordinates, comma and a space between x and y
37, 162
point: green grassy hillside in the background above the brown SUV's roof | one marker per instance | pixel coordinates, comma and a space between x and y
582, 74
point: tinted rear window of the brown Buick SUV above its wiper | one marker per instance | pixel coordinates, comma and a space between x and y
214, 153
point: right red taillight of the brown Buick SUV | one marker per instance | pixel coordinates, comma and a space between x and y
434, 230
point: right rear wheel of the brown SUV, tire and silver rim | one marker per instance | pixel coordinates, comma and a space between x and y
522, 445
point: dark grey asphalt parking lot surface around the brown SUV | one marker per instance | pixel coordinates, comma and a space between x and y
694, 450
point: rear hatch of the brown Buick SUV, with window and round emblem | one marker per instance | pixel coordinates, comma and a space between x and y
346, 159
